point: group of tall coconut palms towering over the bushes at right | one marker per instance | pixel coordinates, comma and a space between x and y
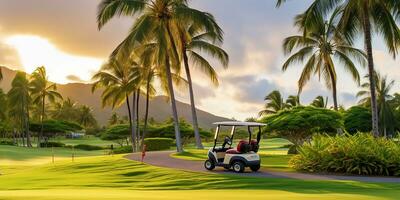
329, 29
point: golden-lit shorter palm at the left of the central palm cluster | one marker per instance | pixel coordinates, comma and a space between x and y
119, 81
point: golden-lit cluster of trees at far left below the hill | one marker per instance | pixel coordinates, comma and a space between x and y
34, 101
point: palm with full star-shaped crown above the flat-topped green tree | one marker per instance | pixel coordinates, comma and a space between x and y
320, 45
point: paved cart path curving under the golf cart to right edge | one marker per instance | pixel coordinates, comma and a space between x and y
163, 159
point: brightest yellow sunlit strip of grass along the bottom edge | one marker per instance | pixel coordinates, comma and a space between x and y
169, 195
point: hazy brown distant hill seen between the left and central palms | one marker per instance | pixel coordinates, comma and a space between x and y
159, 109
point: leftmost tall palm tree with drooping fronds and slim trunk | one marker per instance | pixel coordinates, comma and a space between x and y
19, 101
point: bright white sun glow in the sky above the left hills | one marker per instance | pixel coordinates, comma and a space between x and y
34, 51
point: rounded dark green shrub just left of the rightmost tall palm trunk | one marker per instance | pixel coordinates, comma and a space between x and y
357, 119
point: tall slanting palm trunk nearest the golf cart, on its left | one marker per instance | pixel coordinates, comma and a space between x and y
197, 137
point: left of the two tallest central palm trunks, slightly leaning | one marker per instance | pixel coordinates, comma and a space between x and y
172, 95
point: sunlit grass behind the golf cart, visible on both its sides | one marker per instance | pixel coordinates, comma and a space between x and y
272, 154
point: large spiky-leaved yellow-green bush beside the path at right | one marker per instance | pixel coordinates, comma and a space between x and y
360, 154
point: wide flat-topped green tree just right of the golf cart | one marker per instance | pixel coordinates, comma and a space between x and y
299, 123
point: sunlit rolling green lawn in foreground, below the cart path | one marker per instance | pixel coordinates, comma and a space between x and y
115, 177
